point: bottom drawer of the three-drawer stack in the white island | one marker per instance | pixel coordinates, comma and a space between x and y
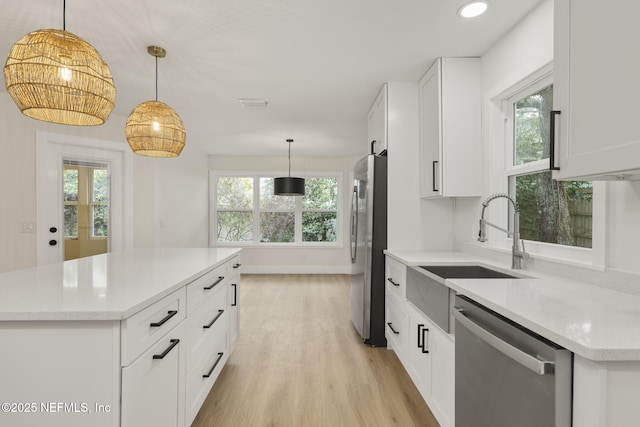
204, 374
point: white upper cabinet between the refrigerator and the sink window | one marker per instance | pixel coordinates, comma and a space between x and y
450, 129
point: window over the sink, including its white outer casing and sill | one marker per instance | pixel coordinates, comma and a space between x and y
559, 220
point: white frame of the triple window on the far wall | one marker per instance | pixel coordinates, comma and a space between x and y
257, 209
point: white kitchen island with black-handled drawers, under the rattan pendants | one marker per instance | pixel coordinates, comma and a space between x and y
120, 339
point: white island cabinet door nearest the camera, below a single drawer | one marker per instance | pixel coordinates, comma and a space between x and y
153, 386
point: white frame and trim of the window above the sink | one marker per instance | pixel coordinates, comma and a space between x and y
594, 256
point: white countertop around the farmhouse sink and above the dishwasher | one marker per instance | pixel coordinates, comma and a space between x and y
594, 322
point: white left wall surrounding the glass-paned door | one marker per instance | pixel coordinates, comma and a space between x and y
170, 207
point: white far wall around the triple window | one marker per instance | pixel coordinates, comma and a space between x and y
296, 260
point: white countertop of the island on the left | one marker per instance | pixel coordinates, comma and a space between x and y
111, 286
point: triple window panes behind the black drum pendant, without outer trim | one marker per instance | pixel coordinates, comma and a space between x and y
245, 211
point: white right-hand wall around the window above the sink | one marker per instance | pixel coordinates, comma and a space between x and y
505, 64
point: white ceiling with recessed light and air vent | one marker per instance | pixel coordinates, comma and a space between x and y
319, 63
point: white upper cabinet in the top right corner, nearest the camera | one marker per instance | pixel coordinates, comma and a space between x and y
597, 89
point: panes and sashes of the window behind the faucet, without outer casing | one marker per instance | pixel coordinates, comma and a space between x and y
557, 212
